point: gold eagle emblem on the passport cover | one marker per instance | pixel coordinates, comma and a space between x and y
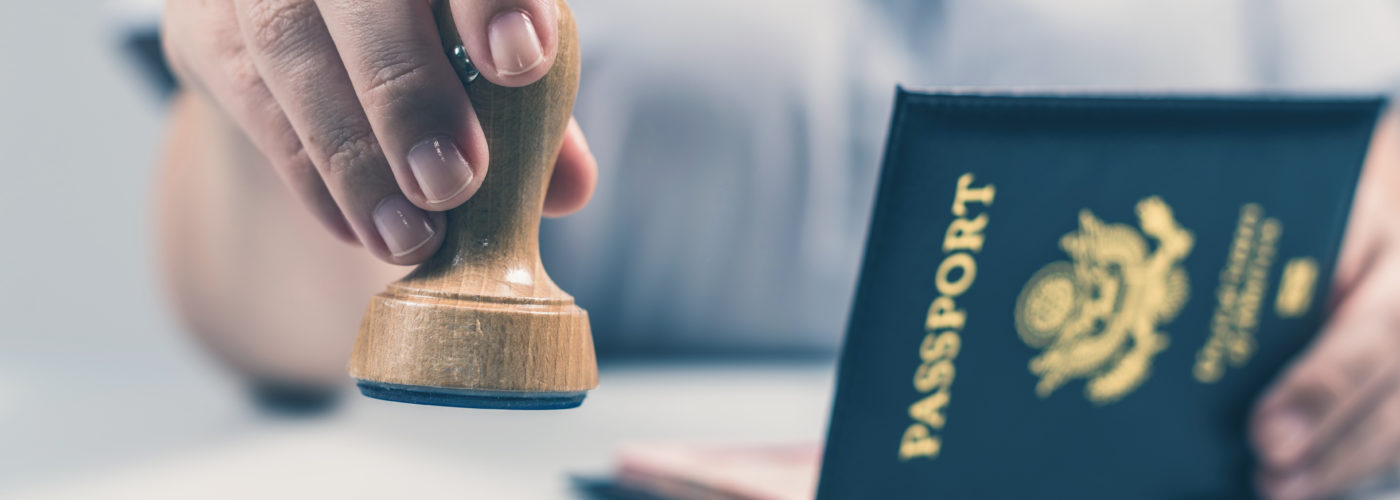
1097, 316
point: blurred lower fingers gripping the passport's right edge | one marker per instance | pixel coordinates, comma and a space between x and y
1347, 379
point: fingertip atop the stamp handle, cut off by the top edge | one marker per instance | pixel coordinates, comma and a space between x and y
513, 43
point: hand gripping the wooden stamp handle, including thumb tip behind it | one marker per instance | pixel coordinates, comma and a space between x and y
359, 110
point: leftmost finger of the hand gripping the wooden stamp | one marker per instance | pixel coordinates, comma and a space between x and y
215, 61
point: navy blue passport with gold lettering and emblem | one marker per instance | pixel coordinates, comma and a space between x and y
1081, 298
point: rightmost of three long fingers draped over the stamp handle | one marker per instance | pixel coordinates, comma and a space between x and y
412, 97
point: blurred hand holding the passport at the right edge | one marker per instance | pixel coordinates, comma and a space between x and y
1333, 418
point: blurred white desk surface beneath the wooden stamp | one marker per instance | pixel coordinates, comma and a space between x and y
146, 435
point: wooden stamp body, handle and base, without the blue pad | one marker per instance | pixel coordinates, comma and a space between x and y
482, 314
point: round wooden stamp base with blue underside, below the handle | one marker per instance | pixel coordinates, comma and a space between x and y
475, 352
